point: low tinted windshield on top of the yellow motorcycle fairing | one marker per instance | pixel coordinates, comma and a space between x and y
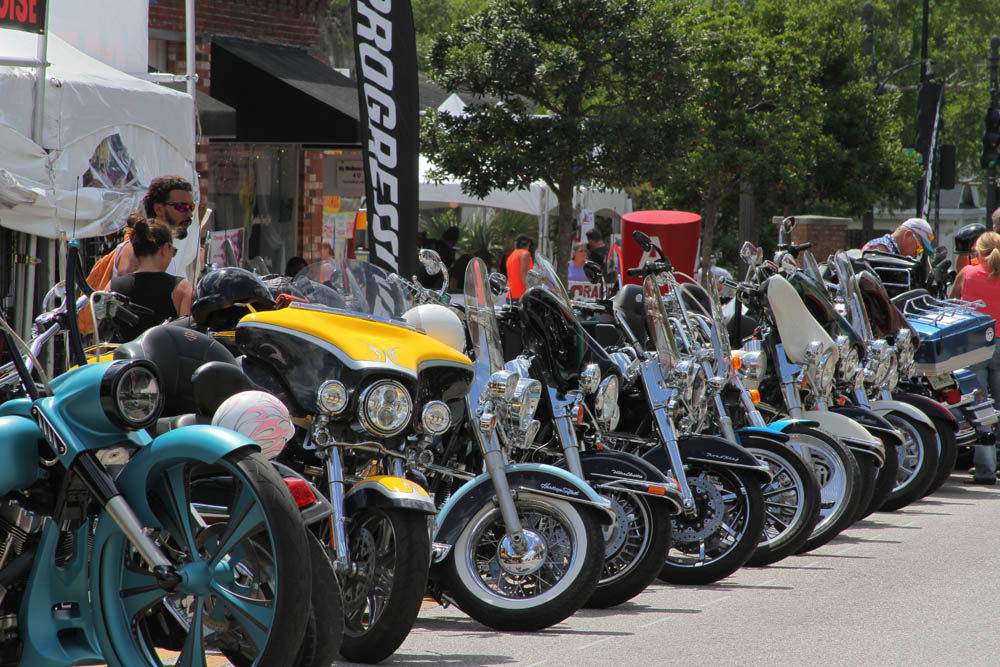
351, 285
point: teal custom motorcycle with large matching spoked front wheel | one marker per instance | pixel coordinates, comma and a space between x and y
123, 549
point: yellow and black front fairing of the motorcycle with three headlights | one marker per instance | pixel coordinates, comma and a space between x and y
303, 346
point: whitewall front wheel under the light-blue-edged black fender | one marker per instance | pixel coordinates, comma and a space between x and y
526, 596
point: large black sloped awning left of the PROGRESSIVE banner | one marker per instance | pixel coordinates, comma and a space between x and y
283, 94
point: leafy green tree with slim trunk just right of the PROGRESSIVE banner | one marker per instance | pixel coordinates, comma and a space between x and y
590, 91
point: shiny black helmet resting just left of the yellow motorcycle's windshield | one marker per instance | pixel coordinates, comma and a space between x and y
219, 292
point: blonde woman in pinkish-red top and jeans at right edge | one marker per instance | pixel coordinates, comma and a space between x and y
975, 282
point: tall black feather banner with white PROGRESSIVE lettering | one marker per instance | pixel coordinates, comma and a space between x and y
386, 56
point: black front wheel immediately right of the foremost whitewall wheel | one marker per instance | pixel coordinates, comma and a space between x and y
634, 548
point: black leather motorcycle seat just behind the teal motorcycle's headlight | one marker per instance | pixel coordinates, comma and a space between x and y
177, 353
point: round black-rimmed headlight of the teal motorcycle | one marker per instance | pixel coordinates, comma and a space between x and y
130, 393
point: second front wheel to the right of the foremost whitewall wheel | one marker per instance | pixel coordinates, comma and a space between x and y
725, 531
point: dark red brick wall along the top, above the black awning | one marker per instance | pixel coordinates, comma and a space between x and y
289, 22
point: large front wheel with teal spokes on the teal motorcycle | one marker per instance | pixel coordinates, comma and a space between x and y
234, 533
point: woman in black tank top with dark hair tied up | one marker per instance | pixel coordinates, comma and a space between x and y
162, 295
